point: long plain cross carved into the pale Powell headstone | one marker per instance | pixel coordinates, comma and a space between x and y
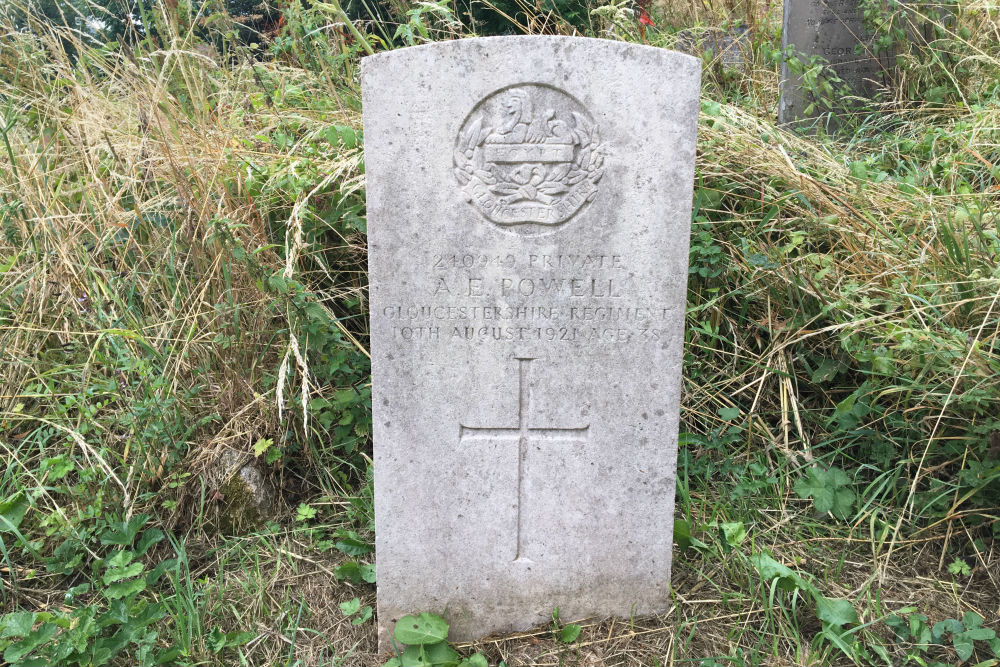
524, 434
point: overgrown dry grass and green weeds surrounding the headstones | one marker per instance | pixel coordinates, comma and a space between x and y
184, 377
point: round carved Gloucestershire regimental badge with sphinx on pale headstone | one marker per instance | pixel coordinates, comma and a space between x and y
529, 158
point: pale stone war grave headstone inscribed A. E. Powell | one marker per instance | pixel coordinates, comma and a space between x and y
529, 202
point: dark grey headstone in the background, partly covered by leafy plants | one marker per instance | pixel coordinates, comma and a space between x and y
833, 29
